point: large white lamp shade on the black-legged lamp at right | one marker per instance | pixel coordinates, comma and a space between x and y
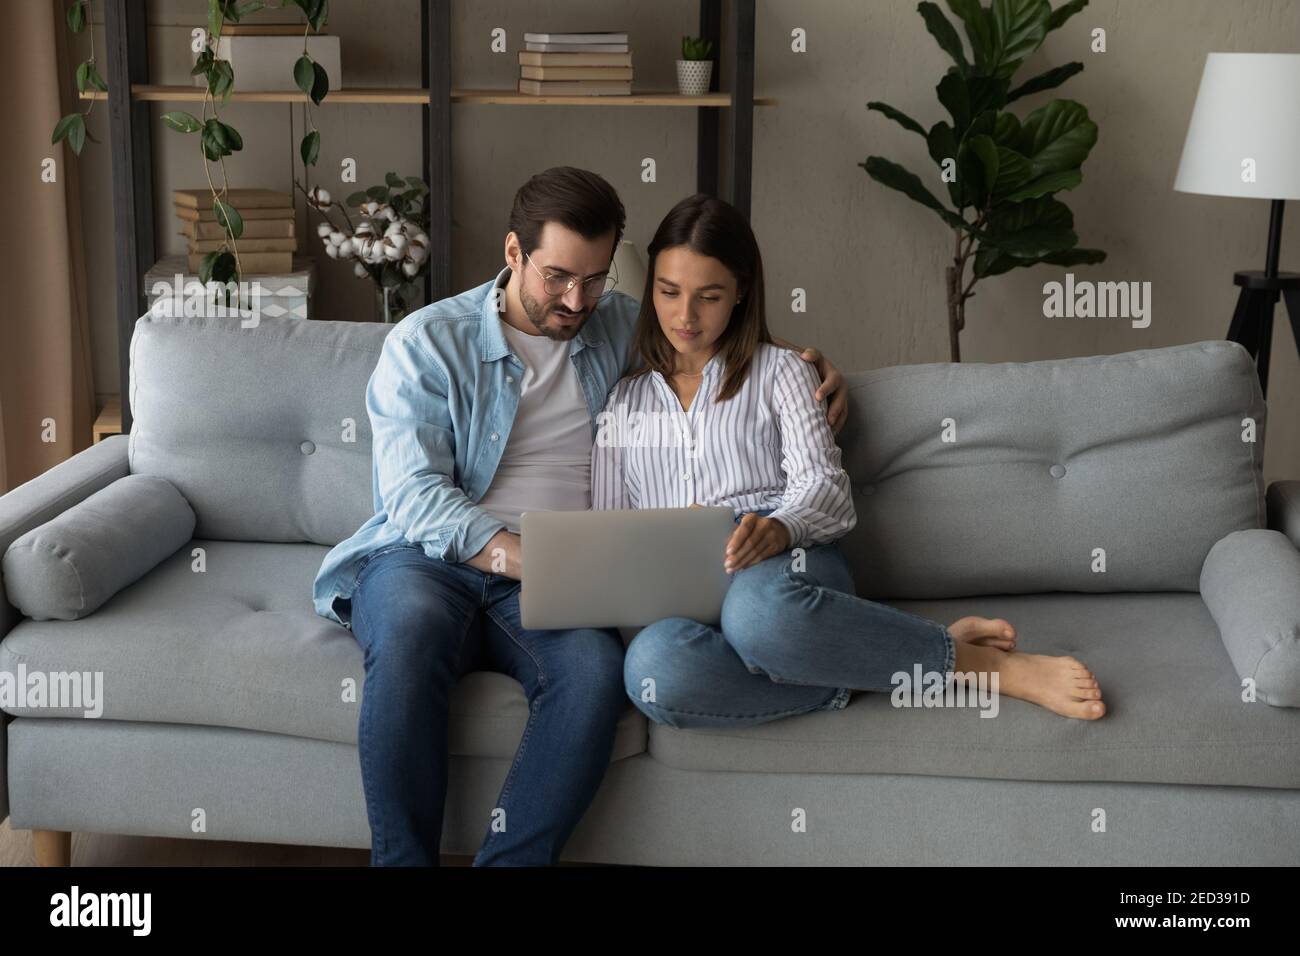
1247, 111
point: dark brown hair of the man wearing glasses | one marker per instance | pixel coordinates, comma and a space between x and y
575, 198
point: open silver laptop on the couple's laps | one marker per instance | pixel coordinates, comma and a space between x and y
623, 569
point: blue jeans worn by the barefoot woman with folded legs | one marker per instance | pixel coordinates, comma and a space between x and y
791, 642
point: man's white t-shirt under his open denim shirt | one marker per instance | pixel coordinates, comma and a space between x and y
547, 465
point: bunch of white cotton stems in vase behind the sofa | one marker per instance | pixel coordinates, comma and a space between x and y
388, 245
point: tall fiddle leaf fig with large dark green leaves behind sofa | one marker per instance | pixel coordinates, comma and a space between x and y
1003, 174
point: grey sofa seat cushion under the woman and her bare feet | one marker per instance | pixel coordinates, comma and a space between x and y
1175, 710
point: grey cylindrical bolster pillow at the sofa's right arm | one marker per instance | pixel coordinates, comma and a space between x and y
1251, 583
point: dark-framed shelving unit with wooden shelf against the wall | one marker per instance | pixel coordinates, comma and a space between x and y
131, 136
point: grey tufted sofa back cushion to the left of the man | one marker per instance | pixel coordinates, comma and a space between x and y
263, 430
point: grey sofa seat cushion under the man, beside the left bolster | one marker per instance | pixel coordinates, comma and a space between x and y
240, 646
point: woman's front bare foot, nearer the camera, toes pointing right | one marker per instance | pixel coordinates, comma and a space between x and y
1061, 685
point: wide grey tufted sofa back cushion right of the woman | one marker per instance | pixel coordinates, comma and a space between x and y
1111, 473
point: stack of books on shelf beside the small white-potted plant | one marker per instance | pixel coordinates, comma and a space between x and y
595, 64
